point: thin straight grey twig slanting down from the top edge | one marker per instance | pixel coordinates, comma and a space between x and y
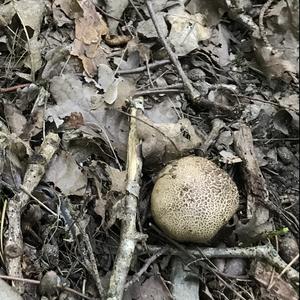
191, 92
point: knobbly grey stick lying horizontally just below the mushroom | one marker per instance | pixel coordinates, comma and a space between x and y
266, 253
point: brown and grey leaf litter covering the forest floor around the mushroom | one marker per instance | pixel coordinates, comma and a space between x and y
82, 63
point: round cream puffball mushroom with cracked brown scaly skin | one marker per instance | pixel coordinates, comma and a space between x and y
192, 199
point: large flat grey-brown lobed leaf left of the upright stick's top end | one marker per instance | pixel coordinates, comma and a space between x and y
72, 96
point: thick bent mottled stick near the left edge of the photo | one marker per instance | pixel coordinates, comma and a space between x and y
35, 171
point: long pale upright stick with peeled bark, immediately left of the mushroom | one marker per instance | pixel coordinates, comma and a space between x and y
129, 234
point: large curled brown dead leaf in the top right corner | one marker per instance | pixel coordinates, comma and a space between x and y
280, 58
